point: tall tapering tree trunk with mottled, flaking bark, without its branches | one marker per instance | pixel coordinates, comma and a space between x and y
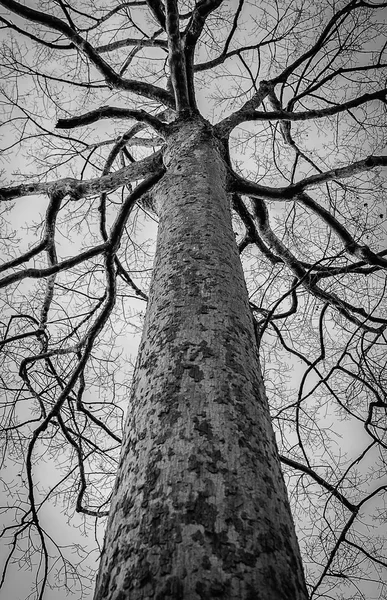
200, 508
